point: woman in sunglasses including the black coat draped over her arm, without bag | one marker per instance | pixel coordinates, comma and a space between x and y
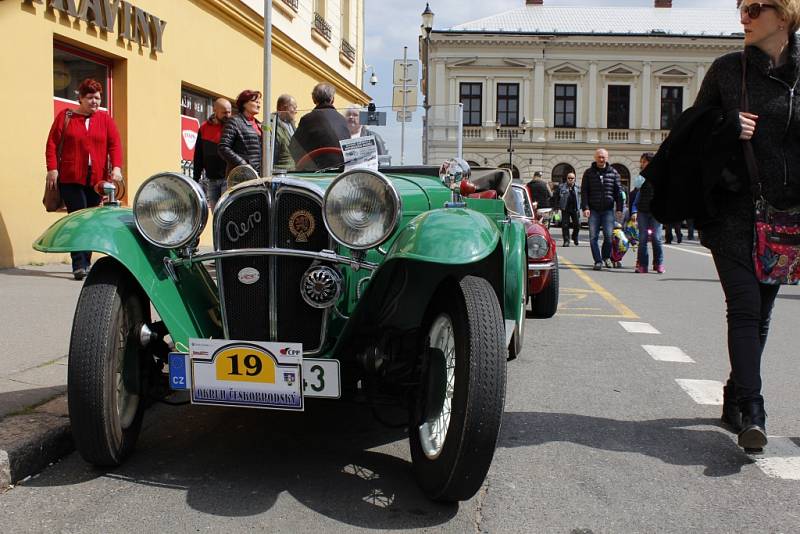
766, 76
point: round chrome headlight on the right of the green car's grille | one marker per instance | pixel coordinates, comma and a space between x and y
361, 209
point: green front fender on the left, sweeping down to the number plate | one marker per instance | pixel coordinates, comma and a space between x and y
189, 306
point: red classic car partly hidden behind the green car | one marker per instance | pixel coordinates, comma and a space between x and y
542, 255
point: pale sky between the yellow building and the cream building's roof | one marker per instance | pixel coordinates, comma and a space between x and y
392, 25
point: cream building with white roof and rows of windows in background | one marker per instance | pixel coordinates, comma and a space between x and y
560, 82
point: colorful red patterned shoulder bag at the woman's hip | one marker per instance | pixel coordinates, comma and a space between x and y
776, 254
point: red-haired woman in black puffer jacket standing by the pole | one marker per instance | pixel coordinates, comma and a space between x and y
240, 143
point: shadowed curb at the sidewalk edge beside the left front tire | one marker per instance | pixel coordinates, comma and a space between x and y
30, 442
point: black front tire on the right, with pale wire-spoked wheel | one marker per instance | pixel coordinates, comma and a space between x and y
457, 471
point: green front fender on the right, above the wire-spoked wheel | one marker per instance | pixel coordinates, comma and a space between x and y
400, 290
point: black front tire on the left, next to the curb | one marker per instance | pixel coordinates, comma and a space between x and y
105, 353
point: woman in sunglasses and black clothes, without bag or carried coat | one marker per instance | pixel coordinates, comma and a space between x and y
772, 124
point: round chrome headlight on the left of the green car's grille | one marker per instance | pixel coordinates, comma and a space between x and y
170, 210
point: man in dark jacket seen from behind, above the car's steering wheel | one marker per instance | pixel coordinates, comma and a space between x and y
320, 130
